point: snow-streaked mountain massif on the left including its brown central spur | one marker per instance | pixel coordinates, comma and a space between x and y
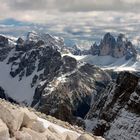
35, 74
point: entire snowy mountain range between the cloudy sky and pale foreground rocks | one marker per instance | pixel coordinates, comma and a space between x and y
39, 71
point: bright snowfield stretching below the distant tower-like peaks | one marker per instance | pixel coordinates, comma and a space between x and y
108, 62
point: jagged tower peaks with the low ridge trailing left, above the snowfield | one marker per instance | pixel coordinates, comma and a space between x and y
109, 45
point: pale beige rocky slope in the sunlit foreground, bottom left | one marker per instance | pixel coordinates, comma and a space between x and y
17, 123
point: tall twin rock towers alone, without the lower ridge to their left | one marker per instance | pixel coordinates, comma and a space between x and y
117, 47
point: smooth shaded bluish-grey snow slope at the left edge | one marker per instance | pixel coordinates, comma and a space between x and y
20, 91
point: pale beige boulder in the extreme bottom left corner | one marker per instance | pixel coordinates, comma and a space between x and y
4, 132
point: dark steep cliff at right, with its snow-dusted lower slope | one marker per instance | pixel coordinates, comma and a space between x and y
116, 112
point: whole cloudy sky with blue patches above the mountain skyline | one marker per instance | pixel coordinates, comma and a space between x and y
83, 21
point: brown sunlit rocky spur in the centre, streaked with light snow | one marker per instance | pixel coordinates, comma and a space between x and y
70, 95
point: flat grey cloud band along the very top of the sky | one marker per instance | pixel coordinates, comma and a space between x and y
73, 5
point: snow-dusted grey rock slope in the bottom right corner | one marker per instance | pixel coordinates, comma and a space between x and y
125, 127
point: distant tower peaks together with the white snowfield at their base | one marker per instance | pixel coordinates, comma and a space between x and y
117, 54
